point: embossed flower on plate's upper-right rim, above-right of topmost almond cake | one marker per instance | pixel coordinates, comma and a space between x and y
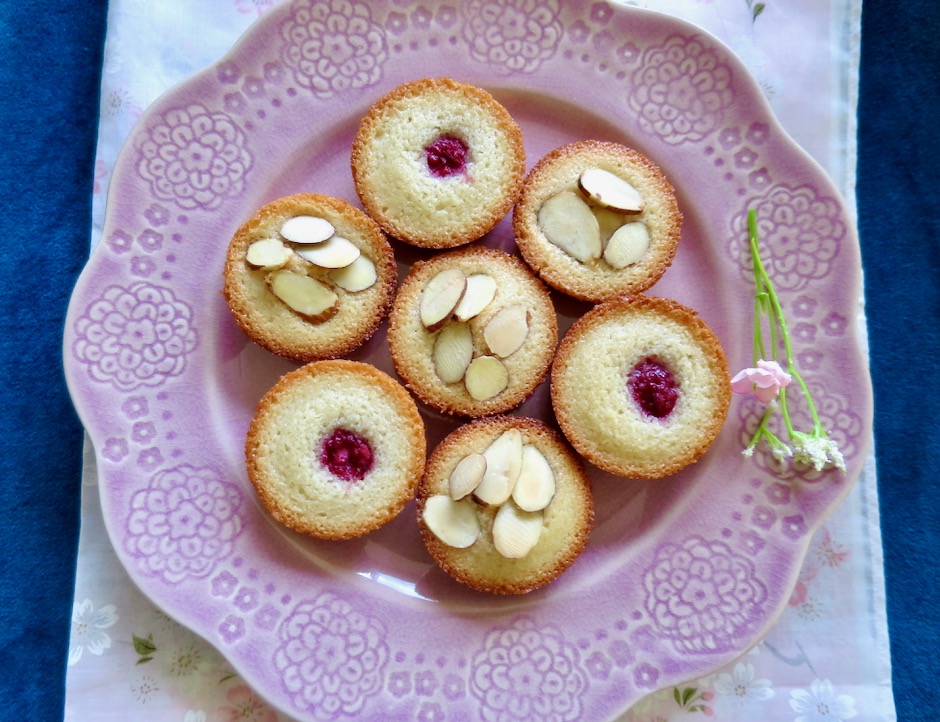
681, 90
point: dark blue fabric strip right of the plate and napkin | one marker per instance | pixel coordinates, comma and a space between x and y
898, 178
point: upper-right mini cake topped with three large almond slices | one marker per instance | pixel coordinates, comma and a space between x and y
597, 219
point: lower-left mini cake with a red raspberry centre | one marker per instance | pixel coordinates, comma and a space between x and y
335, 449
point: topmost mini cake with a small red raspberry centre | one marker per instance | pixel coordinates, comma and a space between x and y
438, 163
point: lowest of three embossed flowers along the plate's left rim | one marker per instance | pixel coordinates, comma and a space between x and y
183, 523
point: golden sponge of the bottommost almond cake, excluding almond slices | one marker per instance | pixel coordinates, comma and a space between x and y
567, 523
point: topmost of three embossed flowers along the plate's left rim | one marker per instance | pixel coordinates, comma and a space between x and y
194, 157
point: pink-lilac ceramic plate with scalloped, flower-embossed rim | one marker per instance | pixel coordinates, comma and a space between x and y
680, 575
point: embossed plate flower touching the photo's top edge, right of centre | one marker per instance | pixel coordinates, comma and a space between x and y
514, 35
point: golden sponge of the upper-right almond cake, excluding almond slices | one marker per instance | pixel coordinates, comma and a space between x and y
595, 279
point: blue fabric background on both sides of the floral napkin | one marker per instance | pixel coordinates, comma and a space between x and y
50, 59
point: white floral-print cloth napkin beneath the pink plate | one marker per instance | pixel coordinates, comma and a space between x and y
827, 659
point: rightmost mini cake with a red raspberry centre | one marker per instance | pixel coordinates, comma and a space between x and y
640, 386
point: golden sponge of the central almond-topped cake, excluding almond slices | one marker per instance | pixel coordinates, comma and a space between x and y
412, 344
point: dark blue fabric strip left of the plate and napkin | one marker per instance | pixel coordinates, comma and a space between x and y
50, 60
